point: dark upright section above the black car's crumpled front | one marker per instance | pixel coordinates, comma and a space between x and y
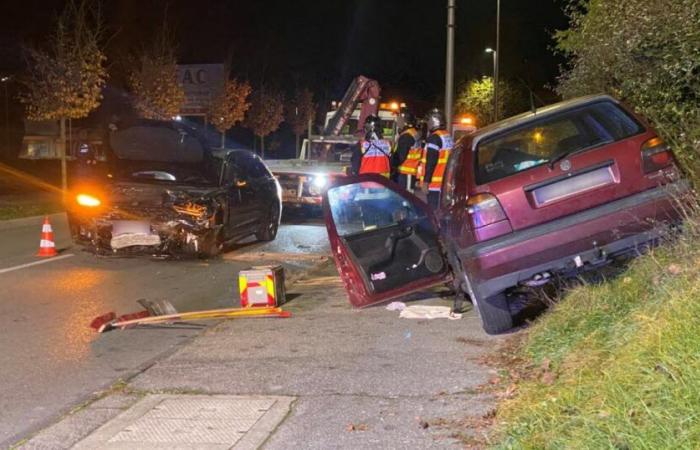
162, 154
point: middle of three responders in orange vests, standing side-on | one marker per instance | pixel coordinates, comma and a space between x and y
408, 151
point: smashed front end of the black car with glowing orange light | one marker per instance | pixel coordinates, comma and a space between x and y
160, 194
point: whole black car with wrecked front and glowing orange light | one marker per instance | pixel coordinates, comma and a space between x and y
165, 192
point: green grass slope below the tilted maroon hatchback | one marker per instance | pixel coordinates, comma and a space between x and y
615, 365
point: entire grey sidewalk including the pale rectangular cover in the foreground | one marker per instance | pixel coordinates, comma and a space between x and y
343, 378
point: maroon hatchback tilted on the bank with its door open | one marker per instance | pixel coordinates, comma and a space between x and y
553, 192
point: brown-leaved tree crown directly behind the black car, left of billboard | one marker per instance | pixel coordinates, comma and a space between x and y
157, 94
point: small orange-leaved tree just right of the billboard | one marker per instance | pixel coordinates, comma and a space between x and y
229, 107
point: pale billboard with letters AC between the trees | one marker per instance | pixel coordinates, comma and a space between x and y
201, 83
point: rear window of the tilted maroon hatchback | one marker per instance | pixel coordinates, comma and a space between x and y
552, 138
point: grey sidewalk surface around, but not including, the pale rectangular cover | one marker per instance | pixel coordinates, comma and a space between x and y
360, 378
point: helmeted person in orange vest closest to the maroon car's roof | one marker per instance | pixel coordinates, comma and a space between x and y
437, 150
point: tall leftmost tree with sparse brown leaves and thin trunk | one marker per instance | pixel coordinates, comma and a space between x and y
64, 80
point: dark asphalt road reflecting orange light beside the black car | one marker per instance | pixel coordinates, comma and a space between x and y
51, 361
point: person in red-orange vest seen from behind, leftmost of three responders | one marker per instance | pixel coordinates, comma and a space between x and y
373, 154
